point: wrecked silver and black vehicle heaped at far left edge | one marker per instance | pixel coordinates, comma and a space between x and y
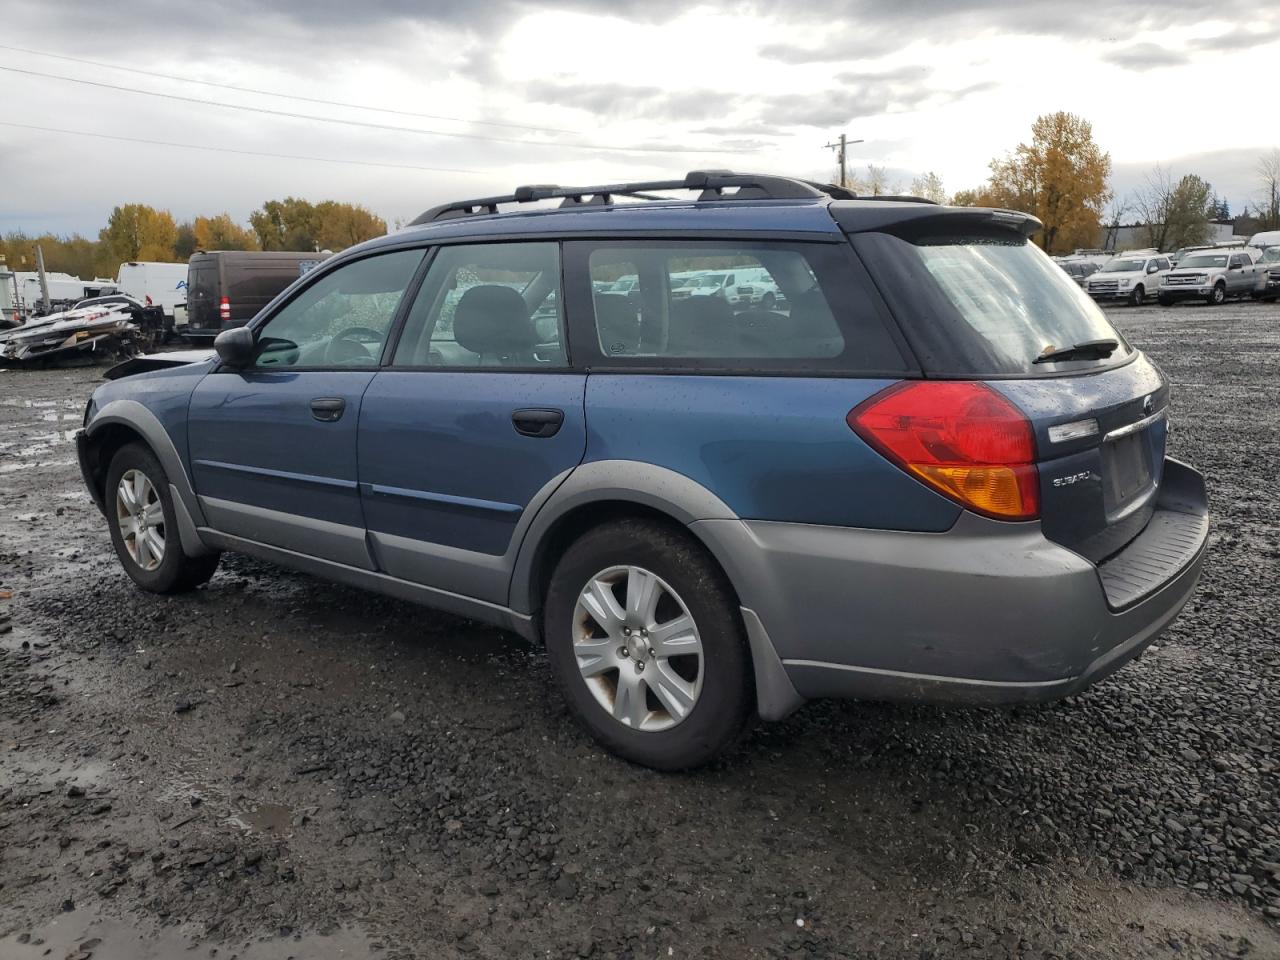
86, 332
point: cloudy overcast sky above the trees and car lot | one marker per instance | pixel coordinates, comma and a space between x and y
604, 90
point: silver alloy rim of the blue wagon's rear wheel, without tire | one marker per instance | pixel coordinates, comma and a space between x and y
638, 648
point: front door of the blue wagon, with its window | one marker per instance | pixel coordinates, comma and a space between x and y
273, 446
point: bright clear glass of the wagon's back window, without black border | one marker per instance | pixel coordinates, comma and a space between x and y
1017, 301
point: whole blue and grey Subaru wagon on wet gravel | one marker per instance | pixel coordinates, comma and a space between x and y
721, 454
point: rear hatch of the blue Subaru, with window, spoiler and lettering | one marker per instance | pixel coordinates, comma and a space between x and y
979, 301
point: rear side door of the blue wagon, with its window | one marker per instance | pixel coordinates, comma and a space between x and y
476, 419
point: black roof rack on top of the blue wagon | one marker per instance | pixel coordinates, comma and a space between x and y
711, 184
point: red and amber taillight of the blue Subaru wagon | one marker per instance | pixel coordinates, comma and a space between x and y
963, 440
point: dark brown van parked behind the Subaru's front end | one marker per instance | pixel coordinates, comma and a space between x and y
228, 287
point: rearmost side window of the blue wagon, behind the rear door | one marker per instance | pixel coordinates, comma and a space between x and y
744, 307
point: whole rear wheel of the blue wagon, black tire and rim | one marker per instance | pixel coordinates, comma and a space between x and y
692, 706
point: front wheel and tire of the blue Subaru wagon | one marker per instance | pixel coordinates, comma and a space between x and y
150, 520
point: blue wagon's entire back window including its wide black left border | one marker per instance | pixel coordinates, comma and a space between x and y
986, 305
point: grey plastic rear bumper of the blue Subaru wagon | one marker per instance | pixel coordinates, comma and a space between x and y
988, 612
